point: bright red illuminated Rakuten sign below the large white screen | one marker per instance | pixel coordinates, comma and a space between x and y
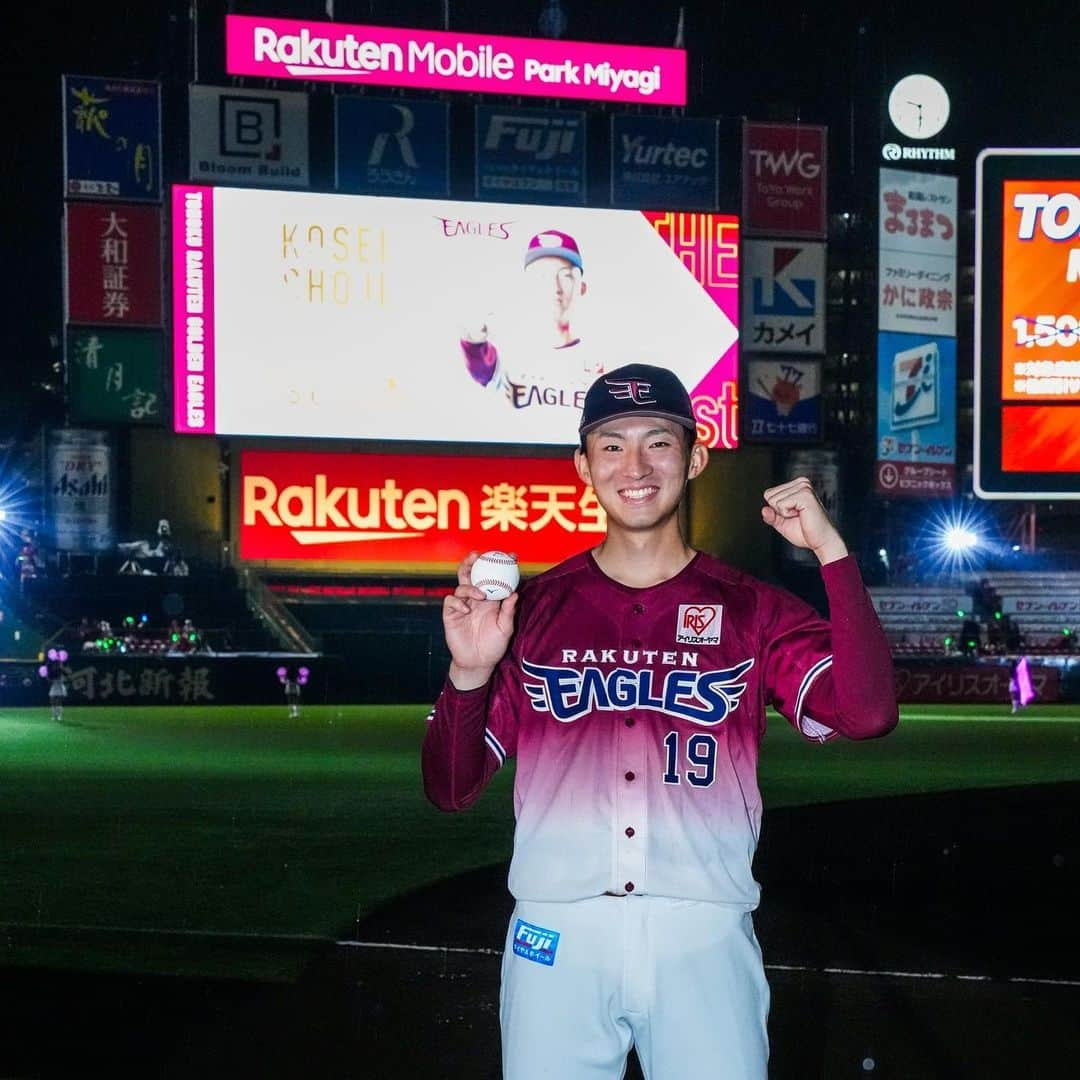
412, 514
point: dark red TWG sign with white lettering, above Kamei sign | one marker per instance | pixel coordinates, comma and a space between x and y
785, 180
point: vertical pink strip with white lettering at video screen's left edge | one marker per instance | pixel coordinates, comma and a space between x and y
194, 310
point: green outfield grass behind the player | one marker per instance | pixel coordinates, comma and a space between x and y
238, 821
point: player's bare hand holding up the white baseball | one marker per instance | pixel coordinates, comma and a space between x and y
478, 630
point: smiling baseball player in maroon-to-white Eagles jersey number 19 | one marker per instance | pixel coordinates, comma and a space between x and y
631, 683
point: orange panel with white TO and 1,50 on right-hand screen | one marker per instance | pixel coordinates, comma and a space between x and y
1041, 317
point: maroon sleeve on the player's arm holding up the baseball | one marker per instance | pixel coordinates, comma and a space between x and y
469, 738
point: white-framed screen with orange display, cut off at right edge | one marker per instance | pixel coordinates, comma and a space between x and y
1028, 325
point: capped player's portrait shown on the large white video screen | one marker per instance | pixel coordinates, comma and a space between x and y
548, 366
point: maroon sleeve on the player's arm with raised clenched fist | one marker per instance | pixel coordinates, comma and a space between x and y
832, 677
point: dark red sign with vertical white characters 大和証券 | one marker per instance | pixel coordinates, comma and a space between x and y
114, 264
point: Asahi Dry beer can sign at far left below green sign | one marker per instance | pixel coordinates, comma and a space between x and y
80, 491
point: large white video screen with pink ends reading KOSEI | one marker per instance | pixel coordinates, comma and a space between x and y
349, 317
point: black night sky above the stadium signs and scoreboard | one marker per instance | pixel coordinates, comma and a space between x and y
1014, 83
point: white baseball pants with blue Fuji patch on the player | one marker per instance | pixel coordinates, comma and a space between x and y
680, 980
